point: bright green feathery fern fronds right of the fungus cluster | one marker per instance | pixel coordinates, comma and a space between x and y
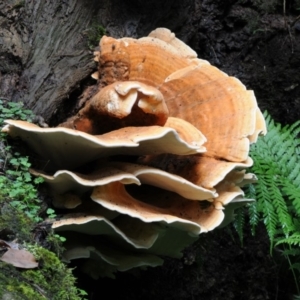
277, 192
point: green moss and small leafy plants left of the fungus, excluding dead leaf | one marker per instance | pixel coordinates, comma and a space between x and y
20, 217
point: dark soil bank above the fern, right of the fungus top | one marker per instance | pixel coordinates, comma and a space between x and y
260, 45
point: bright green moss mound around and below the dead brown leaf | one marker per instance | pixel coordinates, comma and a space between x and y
51, 280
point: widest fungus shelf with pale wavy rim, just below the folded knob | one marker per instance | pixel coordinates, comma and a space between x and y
61, 147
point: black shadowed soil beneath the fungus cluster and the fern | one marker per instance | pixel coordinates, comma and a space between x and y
216, 267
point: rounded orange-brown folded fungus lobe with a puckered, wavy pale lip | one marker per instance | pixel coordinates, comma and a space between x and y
121, 104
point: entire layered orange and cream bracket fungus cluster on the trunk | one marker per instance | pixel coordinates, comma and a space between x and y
155, 157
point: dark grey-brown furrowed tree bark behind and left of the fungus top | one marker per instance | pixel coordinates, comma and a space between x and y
44, 53
